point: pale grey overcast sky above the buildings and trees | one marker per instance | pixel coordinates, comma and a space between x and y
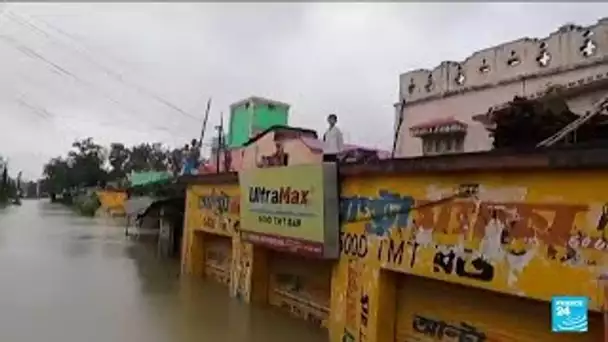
142, 72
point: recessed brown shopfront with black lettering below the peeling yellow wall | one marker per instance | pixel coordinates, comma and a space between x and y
433, 310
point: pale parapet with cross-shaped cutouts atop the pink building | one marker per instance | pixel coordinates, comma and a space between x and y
570, 47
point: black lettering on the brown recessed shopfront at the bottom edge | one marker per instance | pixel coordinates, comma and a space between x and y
439, 329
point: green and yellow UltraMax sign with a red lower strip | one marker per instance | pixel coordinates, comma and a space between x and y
292, 208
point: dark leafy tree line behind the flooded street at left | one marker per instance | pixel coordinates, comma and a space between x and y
89, 164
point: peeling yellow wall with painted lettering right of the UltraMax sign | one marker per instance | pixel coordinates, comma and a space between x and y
519, 235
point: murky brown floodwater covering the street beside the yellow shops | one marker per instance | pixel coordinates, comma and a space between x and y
66, 278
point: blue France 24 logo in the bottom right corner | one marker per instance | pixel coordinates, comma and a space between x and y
569, 314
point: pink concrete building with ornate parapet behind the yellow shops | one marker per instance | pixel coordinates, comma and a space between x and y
440, 108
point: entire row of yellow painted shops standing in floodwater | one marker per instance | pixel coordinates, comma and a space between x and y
389, 253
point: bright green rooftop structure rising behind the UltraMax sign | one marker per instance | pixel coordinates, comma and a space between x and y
252, 116
